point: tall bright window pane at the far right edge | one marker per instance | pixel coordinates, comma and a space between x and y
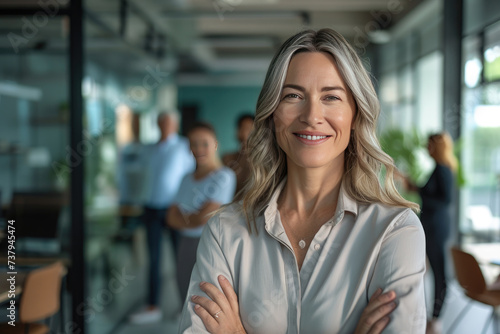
480, 154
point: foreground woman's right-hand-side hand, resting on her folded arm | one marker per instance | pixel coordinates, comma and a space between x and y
375, 317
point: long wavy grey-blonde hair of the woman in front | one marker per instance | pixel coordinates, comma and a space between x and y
364, 159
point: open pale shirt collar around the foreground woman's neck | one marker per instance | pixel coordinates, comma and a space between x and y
344, 203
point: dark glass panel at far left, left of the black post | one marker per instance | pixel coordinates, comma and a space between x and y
34, 147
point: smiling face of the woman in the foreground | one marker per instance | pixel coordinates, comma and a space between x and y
314, 118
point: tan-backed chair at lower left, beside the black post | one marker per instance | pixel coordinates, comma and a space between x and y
39, 300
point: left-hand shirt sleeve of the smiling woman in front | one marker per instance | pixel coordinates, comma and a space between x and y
210, 263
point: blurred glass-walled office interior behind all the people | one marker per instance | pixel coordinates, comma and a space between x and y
82, 83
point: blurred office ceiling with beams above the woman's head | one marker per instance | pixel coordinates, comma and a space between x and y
200, 37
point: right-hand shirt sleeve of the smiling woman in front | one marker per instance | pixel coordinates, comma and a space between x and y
401, 267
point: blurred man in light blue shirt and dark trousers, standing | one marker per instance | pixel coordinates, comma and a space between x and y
168, 161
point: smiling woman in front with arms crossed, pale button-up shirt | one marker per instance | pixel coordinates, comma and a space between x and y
317, 238
